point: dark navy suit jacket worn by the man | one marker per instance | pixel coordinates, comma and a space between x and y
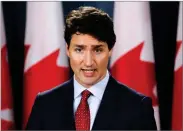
121, 108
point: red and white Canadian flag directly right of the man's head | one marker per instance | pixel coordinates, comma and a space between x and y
132, 60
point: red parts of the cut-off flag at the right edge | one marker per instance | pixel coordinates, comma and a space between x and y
177, 95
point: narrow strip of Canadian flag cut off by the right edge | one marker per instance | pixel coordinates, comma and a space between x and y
177, 94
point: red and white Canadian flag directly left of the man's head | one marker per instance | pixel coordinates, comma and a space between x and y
46, 64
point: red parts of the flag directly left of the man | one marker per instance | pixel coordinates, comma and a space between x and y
44, 75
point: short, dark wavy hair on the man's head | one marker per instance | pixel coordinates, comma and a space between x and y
92, 21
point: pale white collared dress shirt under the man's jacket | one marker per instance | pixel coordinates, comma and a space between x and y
94, 100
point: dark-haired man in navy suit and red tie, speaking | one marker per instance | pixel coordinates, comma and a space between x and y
92, 99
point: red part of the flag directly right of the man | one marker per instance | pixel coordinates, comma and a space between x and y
135, 73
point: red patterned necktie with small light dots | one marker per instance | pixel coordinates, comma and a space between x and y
82, 115
